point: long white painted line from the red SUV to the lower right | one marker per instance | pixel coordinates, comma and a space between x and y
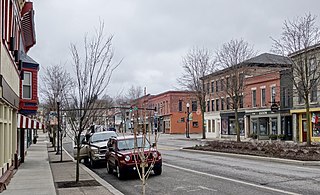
233, 180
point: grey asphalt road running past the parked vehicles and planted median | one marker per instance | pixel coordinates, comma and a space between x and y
195, 173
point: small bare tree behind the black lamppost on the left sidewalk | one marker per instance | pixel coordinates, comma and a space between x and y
55, 82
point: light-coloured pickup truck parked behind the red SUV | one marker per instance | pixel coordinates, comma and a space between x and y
94, 146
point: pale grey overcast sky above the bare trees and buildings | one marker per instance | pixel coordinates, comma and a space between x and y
153, 35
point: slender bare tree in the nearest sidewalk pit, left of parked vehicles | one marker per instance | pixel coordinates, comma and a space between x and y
93, 74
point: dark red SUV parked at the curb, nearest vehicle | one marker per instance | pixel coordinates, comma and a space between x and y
123, 158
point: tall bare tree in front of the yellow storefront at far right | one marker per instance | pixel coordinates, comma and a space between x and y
297, 39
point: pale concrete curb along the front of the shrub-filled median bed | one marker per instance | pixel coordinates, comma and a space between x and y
261, 158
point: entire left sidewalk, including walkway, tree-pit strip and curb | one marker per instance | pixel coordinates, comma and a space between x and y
42, 173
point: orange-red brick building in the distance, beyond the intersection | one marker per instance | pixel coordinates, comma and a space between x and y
171, 112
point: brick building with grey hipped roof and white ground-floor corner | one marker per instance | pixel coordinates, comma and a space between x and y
220, 114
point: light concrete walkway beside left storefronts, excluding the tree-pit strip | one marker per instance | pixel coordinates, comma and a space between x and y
34, 175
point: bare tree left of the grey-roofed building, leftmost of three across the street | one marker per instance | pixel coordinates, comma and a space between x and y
196, 64
